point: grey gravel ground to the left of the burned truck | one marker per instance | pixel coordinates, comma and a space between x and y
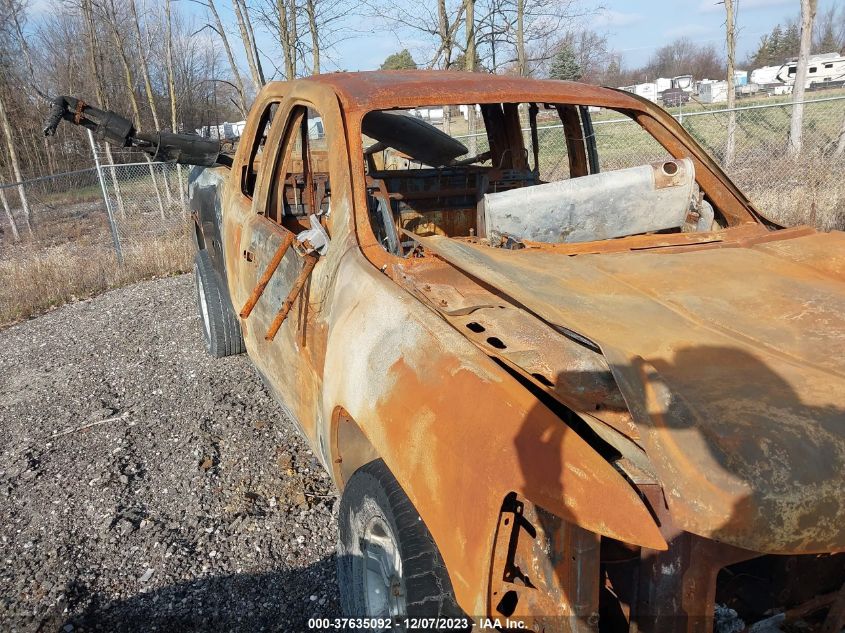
196, 506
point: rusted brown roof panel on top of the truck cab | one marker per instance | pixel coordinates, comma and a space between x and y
374, 90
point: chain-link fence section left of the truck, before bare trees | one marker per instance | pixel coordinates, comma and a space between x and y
90, 230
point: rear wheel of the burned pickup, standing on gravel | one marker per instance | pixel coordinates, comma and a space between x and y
220, 326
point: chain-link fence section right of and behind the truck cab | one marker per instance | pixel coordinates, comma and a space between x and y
806, 189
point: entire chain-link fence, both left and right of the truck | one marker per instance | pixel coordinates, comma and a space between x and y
85, 233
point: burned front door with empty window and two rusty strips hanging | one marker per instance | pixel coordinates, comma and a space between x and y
302, 331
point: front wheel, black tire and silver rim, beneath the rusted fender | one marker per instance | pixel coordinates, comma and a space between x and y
388, 564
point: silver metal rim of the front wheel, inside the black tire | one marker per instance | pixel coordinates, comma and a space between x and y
384, 589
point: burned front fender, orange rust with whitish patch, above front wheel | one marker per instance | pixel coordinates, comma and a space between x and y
458, 432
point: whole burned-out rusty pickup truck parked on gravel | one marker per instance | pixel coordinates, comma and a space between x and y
562, 378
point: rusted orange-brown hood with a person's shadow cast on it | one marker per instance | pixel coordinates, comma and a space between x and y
731, 361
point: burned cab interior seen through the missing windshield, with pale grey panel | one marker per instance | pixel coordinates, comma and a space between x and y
517, 190
